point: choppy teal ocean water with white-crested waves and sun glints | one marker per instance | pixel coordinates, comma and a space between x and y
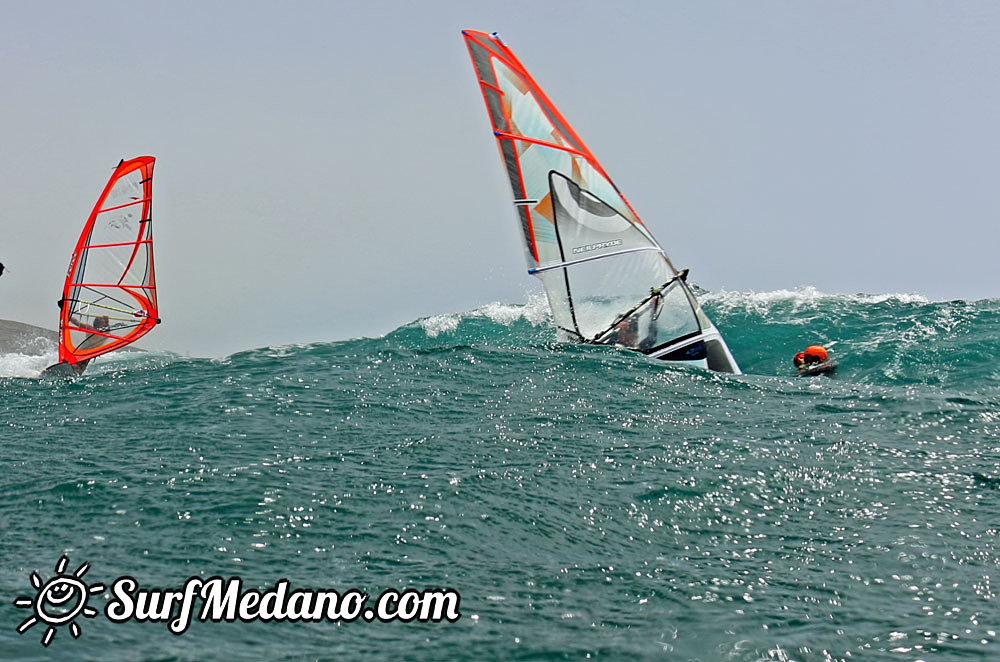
583, 502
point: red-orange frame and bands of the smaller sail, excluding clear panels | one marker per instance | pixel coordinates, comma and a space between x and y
141, 296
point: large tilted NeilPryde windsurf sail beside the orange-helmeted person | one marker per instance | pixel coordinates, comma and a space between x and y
606, 277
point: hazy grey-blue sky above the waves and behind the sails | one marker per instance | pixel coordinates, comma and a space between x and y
326, 169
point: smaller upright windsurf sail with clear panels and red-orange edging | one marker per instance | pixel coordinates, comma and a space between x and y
109, 296
